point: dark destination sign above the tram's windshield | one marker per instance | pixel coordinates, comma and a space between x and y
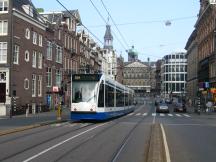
86, 77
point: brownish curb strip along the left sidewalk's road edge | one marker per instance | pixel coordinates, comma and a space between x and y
20, 129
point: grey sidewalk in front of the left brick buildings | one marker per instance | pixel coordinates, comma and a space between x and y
22, 121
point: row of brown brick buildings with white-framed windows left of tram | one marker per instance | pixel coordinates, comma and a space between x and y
39, 53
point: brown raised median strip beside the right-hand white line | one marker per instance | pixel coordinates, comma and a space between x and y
156, 151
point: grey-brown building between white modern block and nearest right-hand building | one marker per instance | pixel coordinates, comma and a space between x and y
192, 69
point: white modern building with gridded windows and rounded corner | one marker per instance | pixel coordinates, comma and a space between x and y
174, 74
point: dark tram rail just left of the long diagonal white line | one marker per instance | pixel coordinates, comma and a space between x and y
44, 141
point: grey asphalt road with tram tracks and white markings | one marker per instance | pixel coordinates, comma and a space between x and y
190, 138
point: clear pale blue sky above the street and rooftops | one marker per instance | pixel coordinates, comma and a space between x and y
140, 23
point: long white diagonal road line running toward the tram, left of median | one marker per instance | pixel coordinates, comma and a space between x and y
60, 143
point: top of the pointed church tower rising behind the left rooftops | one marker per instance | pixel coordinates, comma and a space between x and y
108, 38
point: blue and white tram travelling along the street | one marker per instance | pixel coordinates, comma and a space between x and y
97, 97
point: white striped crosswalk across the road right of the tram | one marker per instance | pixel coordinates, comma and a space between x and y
160, 115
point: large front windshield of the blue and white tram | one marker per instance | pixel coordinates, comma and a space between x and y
84, 91
